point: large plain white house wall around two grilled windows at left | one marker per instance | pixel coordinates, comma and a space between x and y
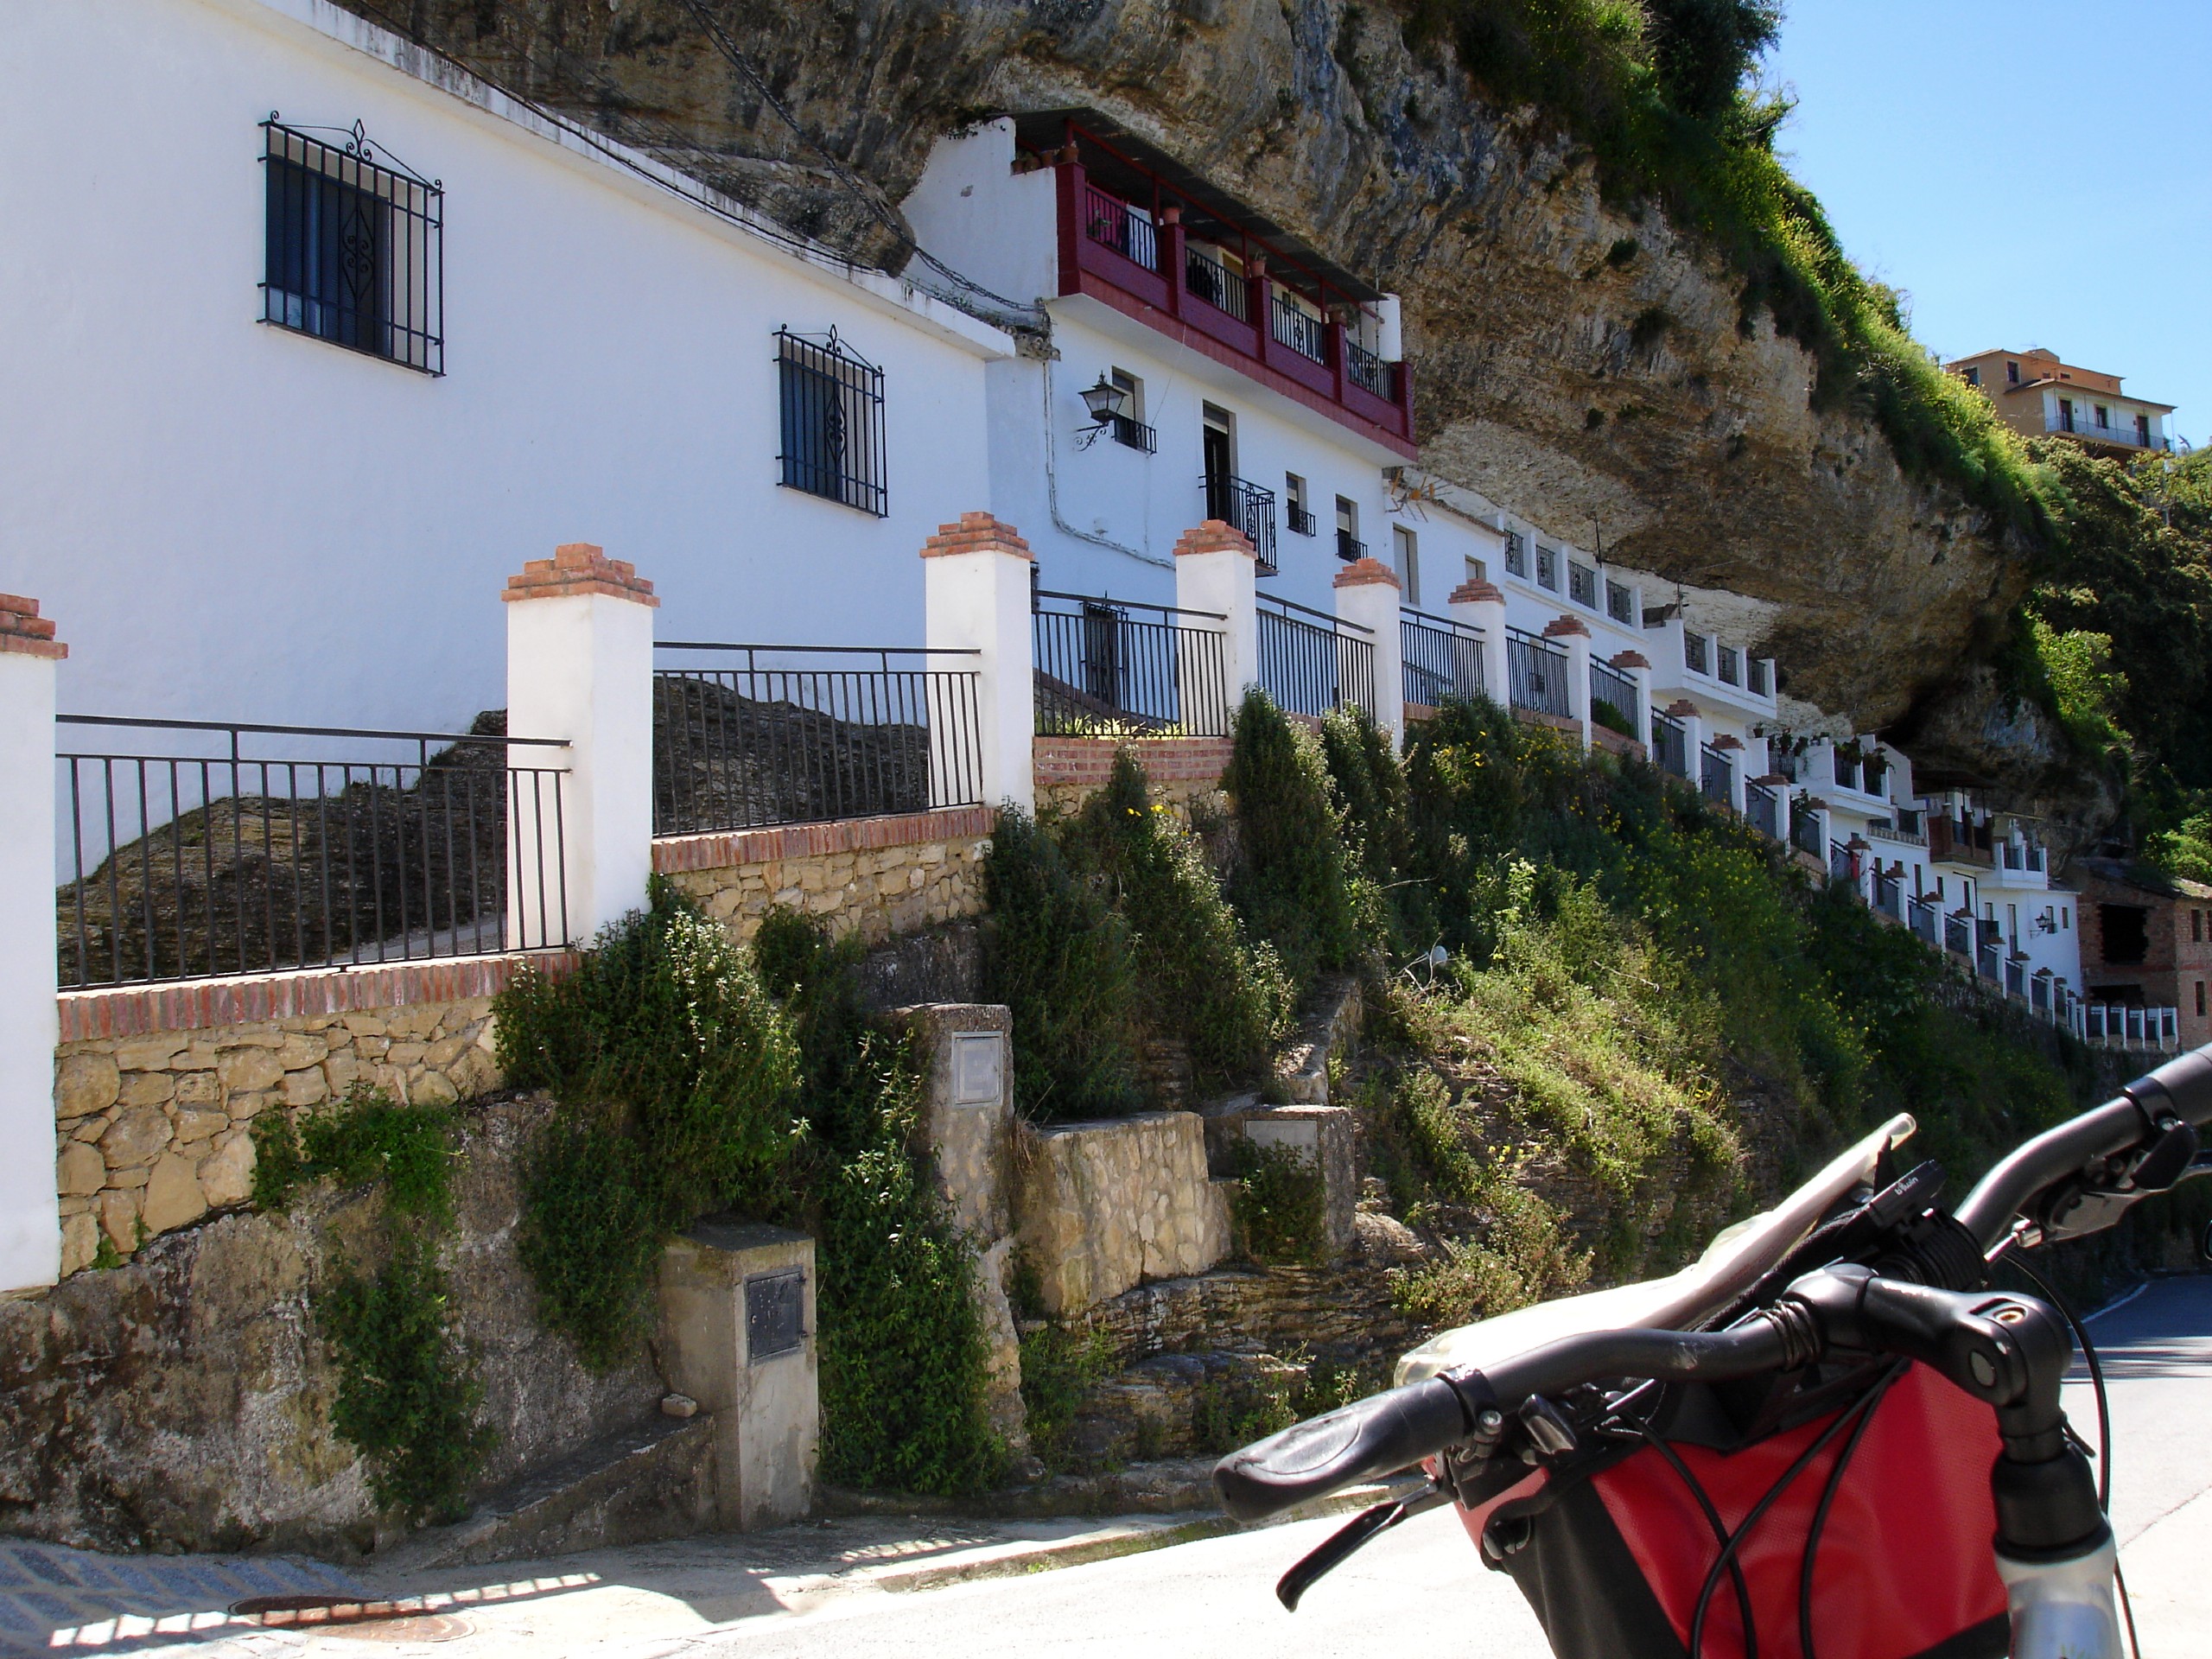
233, 521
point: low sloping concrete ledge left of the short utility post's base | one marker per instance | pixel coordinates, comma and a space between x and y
656, 1481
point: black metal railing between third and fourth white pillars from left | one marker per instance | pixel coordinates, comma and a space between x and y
1105, 674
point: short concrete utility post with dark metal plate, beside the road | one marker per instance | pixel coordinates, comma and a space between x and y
738, 1337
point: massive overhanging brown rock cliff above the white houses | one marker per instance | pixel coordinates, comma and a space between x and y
1578, 362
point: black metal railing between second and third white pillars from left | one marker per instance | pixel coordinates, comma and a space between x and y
762, 742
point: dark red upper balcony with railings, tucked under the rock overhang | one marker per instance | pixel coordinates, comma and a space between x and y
1149, 247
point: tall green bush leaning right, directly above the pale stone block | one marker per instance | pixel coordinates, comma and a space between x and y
1229, 1001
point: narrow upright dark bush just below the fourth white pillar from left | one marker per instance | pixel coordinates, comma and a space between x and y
1293, 881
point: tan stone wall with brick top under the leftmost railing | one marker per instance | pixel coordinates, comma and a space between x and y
156, 1089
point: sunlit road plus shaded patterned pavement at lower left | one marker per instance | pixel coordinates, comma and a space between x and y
797, 1594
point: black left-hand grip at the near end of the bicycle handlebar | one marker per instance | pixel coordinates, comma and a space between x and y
1375, 1437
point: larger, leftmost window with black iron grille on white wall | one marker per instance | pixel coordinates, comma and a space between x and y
353, 247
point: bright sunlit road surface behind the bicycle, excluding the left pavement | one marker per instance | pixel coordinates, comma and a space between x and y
1423, 1592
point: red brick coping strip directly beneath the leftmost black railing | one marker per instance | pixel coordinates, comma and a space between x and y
202, 1005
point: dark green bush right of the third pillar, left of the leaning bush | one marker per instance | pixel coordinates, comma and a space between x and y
1058, 957
